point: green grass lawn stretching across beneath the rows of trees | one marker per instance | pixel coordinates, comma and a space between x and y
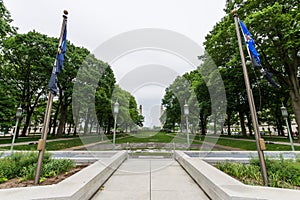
148, 137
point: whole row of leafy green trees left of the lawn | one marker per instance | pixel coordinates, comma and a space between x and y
26, 65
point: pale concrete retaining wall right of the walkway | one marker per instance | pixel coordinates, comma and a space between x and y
220, 186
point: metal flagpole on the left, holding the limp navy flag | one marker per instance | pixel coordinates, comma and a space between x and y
42, 141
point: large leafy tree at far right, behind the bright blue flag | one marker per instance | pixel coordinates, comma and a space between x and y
279, 48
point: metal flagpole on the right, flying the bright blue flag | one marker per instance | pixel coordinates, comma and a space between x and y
259, 141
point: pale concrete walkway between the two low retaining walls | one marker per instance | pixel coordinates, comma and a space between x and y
150, 179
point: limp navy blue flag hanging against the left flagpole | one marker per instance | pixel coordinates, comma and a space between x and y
59, 61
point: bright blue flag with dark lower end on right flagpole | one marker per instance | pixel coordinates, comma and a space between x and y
254, 55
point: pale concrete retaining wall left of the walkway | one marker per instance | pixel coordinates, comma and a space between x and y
81, 185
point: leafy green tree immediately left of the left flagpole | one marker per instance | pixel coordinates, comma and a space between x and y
27, 58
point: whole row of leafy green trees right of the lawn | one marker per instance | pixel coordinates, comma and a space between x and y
279, 52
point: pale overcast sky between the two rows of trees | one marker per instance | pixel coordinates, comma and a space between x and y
93, 22
